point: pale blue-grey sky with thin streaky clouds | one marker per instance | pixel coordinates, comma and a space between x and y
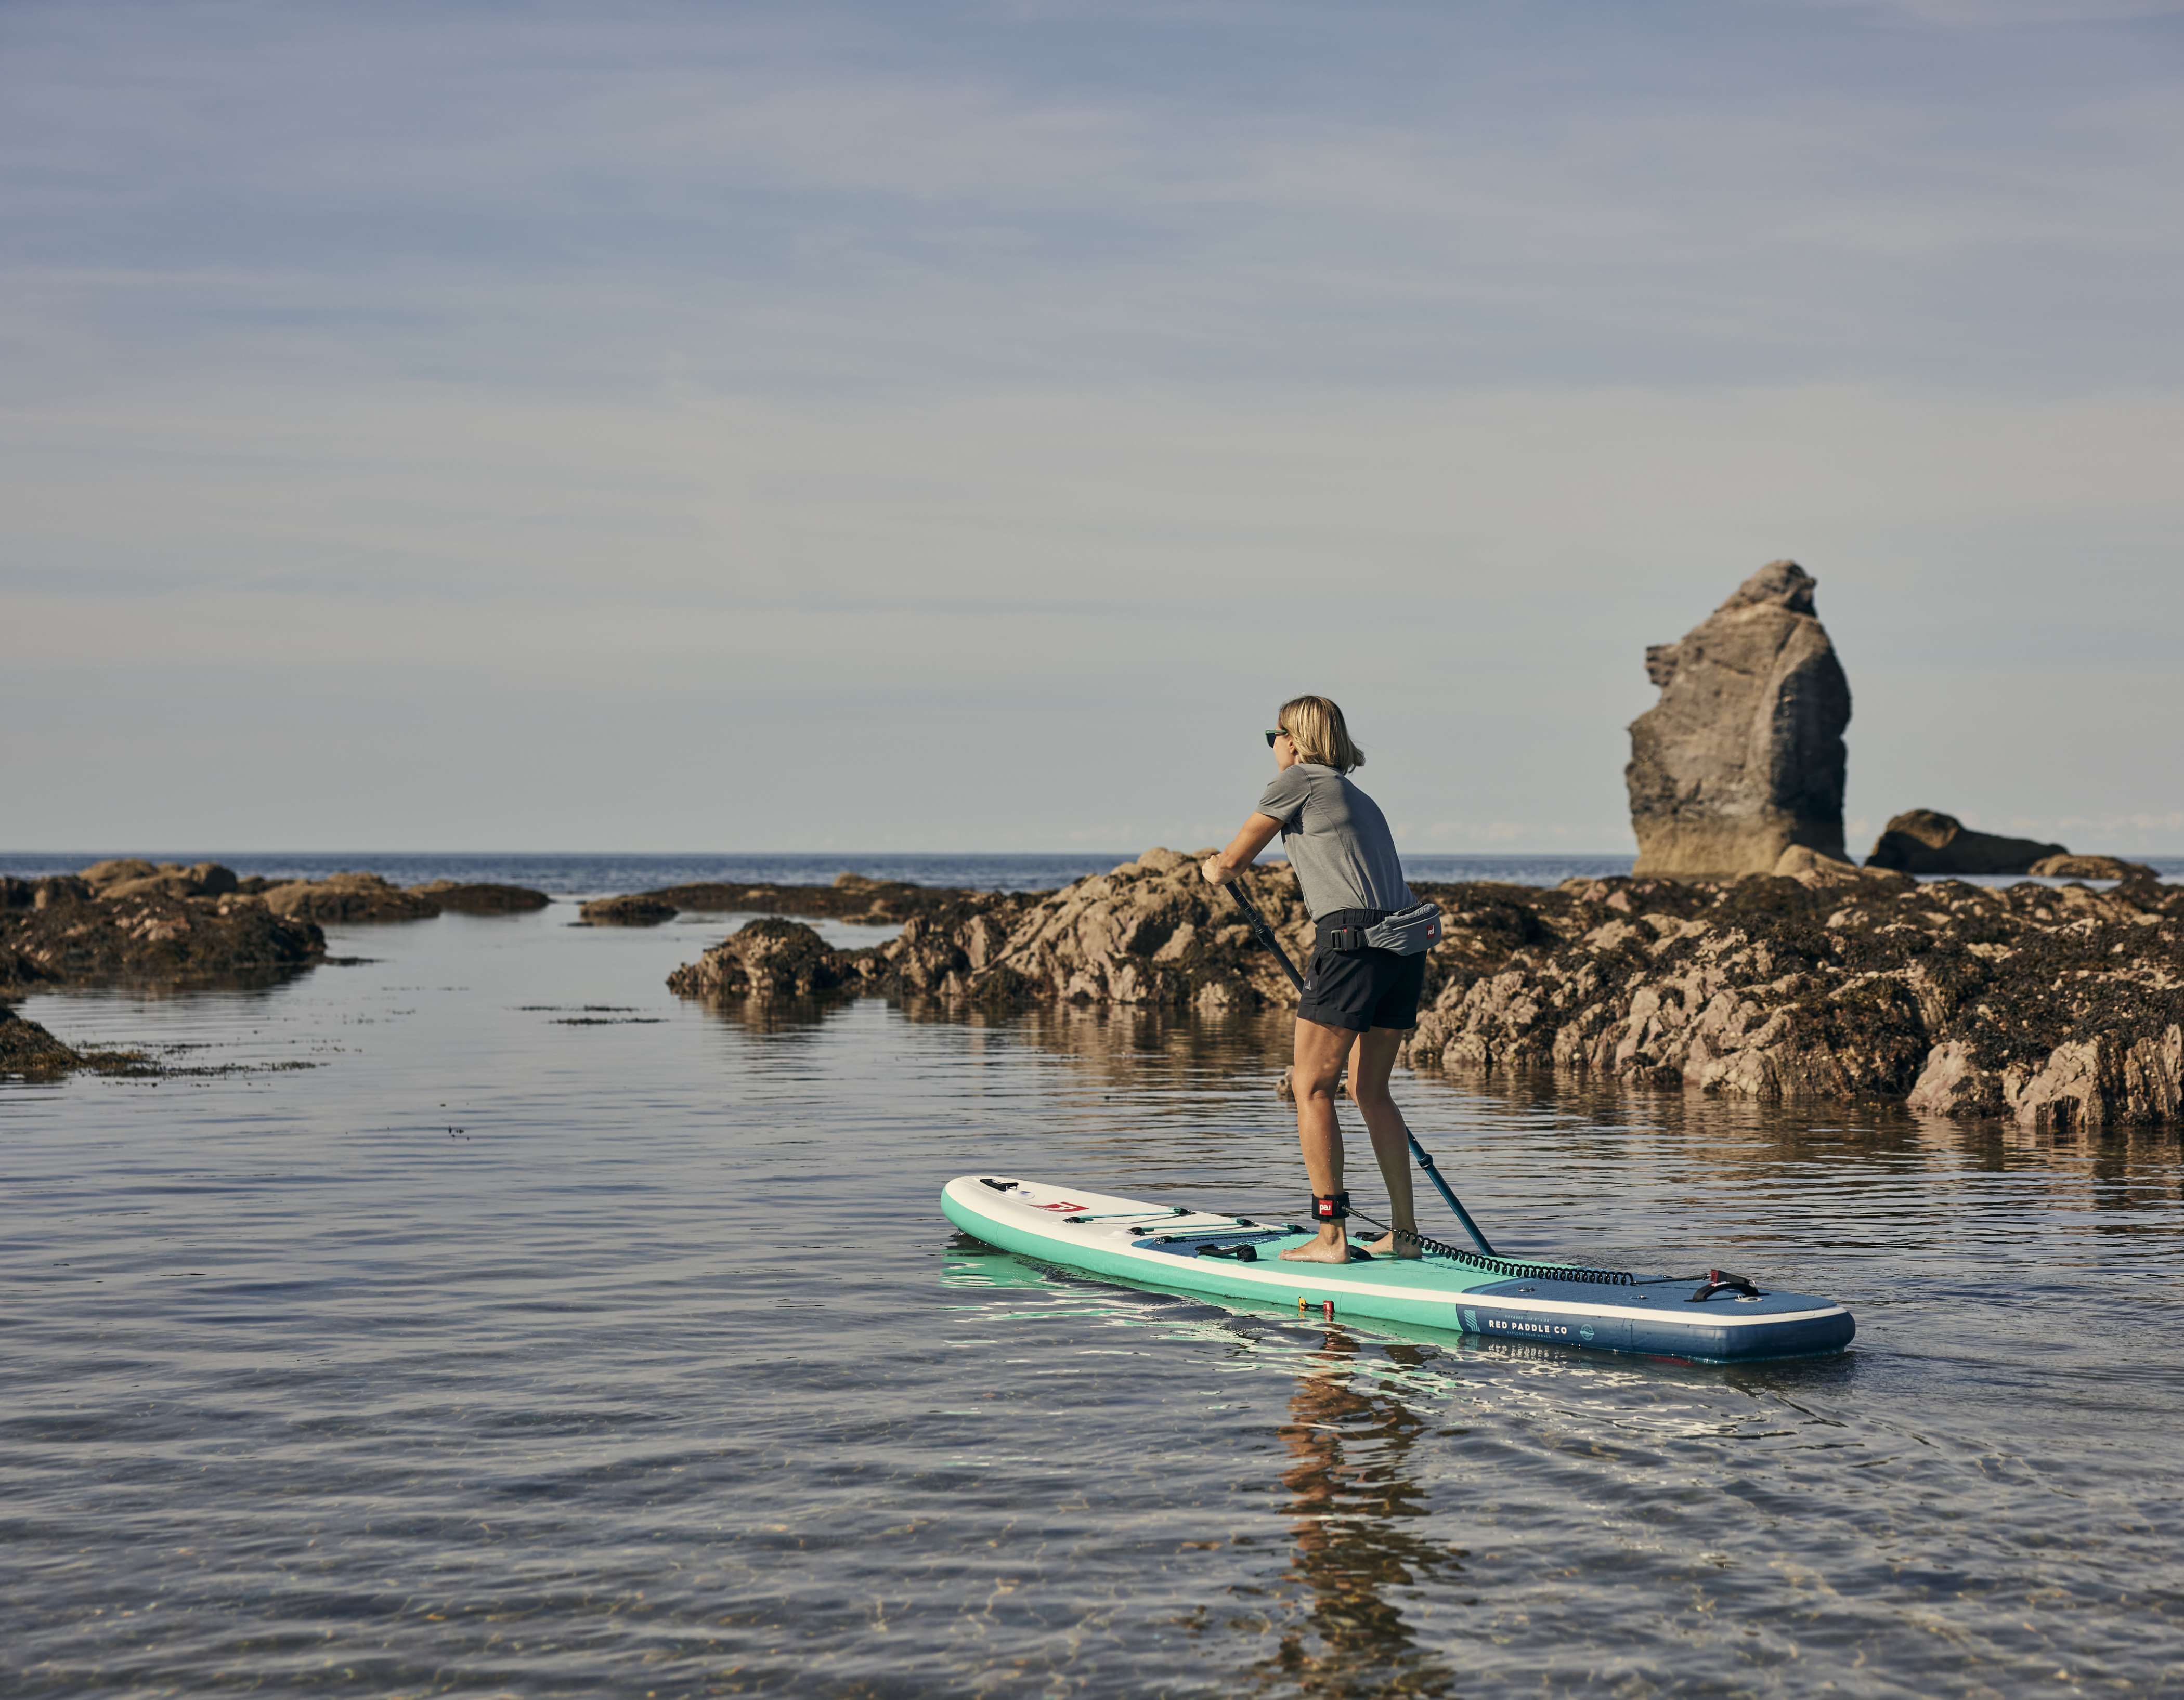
958, 427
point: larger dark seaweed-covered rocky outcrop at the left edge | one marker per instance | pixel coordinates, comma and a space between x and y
147, 937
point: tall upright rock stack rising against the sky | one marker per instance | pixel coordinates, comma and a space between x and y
1744, 754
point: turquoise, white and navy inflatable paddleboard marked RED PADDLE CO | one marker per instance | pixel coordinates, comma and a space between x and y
1231, 1256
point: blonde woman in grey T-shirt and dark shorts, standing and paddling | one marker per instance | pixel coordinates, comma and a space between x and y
1360, 998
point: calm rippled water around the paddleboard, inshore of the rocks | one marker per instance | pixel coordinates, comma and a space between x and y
549, 1337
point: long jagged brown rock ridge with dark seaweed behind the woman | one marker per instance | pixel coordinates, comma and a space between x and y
2056, 1007
